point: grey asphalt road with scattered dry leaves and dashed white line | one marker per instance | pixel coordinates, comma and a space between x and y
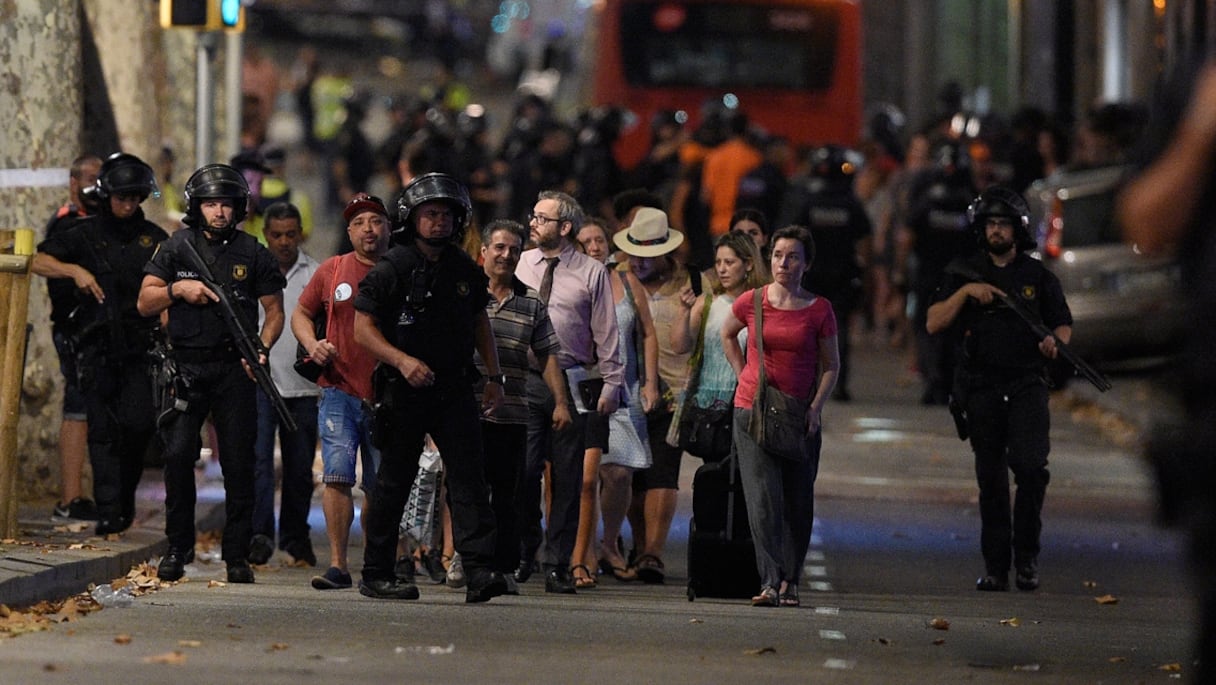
896, 554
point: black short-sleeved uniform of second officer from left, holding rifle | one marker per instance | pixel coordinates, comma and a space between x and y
212, 380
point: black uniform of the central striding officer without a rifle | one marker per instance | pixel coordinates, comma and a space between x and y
429, 311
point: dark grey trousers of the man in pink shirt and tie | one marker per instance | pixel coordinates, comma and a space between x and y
564, 451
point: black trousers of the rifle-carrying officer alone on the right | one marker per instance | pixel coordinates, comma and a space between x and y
1010, 426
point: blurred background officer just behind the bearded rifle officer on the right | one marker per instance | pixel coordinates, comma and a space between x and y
938, 223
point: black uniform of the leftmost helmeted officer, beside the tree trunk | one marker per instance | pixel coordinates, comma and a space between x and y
110, 353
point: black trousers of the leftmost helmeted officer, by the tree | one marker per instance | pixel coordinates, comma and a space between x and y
122, 423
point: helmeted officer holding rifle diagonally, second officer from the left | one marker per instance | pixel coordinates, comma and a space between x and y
210, 372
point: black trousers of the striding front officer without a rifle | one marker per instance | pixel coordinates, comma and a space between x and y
448, 412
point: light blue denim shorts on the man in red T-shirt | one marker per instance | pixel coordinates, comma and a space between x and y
344, 429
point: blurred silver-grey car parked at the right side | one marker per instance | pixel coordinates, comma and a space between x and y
1124, 304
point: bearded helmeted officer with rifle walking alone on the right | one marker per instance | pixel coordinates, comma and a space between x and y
1001, 378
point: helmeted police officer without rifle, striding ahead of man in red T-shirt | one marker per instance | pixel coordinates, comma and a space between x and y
421, 312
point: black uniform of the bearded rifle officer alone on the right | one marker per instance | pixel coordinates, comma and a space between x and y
1003, 386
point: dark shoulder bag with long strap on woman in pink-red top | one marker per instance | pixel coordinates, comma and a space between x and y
779, 420
